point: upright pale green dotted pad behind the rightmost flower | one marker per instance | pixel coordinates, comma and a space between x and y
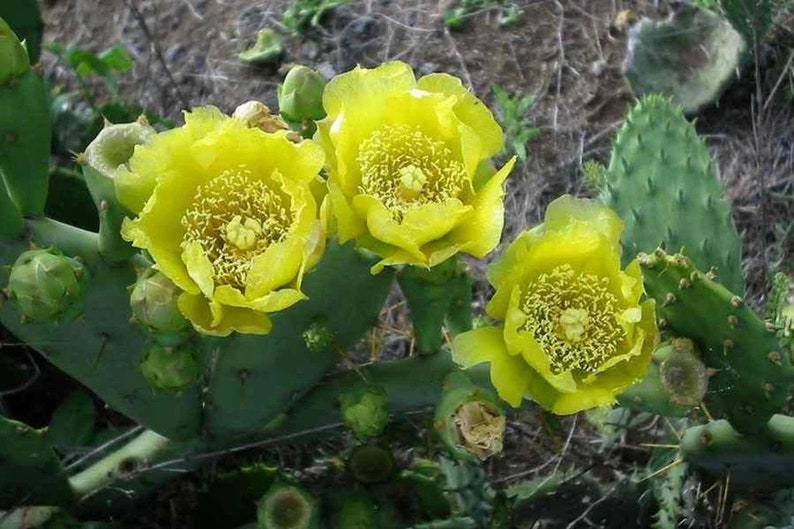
662, 183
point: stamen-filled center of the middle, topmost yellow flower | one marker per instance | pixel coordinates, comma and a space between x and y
403, 168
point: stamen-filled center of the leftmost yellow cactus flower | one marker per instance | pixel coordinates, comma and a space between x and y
235, 218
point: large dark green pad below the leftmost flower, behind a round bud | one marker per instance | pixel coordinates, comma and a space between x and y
100, 348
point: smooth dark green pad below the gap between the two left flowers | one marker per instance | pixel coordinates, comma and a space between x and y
253, 379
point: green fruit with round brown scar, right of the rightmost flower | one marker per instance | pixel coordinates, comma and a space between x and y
675, 382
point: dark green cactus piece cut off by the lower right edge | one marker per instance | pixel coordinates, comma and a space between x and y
761, 461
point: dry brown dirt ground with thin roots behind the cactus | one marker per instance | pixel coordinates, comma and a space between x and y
567, 53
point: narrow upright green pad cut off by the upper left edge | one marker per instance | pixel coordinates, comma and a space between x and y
25, 128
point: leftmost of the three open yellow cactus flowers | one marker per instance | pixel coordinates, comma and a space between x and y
226, 211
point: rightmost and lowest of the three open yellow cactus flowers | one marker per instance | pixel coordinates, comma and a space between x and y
574, 332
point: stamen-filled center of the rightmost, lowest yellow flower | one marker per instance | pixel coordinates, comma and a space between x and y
573, 317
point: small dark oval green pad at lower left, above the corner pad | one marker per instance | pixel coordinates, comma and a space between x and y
72, 425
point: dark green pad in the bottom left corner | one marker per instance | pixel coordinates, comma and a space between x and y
30, 472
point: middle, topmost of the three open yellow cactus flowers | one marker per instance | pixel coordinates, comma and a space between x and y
409, 177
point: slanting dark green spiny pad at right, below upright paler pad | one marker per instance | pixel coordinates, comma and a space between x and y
752, 378
